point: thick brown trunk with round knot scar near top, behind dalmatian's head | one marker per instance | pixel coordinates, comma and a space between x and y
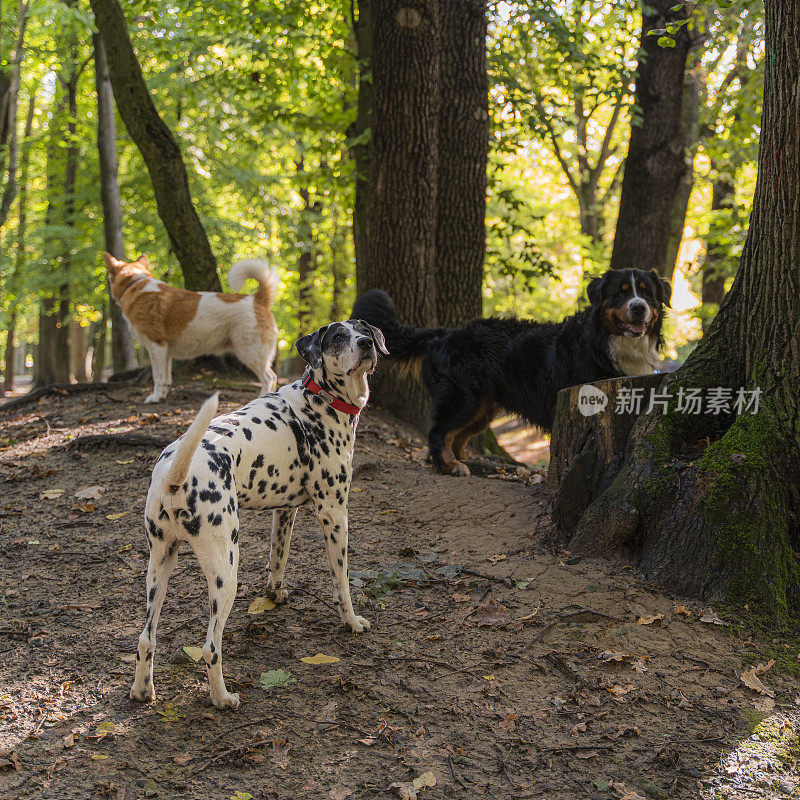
401, 217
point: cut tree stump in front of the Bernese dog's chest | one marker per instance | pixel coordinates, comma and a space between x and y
586, 449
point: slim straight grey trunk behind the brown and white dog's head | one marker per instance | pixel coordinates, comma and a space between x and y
123, 355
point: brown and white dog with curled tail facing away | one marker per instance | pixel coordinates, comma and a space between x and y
177, 323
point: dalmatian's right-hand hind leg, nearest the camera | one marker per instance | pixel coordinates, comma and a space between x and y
218, 554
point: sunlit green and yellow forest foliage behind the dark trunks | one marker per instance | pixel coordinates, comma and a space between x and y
263, 99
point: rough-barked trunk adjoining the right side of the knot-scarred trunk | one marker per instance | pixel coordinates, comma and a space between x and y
463, 154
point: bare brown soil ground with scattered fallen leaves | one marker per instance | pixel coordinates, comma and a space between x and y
497, 665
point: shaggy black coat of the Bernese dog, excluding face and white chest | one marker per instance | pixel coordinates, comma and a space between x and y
473, 371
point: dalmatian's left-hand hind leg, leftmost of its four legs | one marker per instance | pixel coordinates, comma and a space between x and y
163, 556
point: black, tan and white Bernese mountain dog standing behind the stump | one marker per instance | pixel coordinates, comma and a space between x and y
474, 371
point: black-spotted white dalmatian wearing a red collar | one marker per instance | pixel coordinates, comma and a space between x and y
283, 450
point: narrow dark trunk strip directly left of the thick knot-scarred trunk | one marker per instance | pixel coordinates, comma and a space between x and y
361, 136
